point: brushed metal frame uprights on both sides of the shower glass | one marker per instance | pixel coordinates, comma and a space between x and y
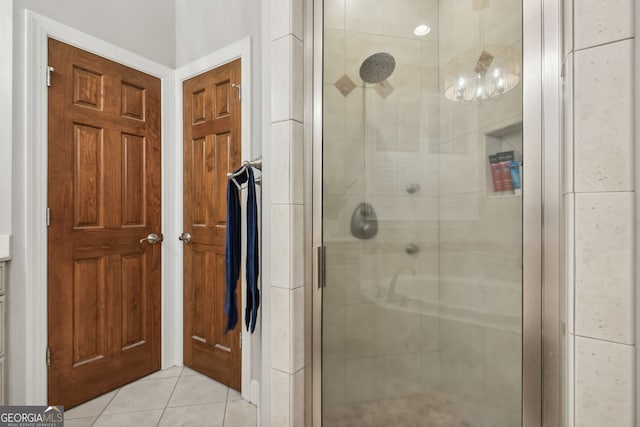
542, 371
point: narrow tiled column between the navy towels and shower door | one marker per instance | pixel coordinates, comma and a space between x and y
286, 279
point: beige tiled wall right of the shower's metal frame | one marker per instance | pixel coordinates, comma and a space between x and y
599, 202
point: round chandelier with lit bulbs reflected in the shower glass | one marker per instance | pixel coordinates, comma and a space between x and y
482, 73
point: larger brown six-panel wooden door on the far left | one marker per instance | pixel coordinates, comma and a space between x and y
104, 196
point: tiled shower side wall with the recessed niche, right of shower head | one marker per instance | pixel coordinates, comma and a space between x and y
480, 230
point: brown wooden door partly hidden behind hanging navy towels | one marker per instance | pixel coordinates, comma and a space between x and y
211, 149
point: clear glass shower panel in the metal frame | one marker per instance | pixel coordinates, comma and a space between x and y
422, 213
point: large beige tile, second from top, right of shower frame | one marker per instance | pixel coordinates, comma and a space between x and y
603, 111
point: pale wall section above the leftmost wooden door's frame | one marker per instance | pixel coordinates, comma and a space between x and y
145, 27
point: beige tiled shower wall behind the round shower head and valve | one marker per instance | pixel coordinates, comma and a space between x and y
379, 139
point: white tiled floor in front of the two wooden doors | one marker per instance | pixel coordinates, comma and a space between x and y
170, 398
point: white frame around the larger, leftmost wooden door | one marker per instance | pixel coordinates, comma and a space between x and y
38, 30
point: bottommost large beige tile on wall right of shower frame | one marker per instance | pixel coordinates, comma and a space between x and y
604, 387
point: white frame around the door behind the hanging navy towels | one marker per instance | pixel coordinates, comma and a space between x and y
240, 49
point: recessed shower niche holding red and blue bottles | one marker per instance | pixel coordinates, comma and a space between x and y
502, 146
